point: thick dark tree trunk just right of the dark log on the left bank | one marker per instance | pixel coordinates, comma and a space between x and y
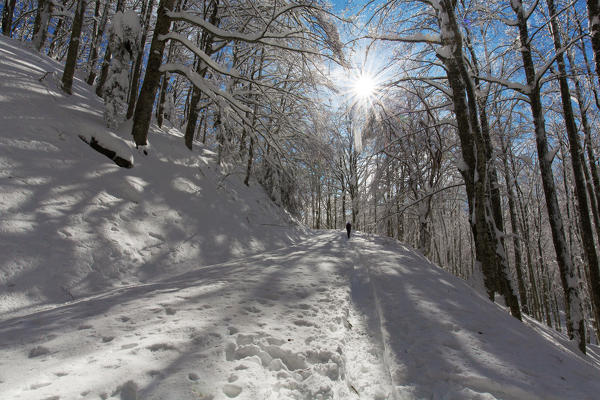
145, 104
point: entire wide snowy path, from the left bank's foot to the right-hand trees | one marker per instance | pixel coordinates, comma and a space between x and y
325, 319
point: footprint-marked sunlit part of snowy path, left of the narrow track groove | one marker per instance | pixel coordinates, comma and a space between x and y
282, 324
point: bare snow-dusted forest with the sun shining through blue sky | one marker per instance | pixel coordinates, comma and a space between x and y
466, 129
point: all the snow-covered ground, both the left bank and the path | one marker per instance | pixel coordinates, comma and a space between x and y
171, 280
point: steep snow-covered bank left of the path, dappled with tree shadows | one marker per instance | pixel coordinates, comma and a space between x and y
72, 222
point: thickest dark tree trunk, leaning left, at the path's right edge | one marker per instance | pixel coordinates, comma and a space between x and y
488, 245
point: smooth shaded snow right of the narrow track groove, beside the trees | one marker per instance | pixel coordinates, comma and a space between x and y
443, 340
